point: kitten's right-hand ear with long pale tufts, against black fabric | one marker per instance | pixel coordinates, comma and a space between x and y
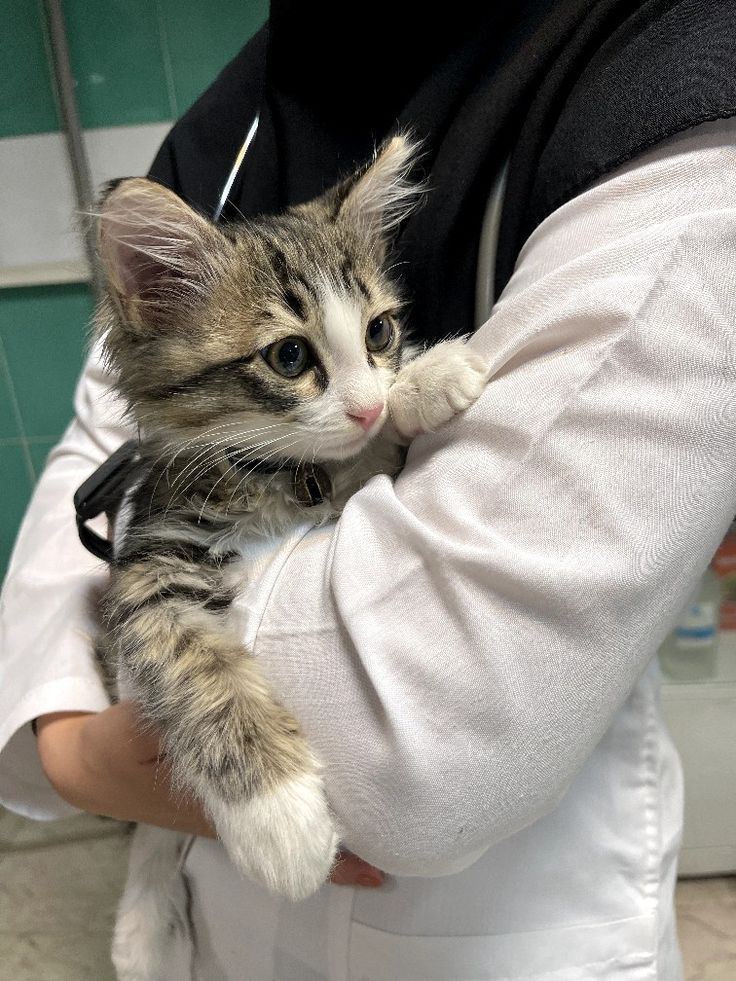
379, 197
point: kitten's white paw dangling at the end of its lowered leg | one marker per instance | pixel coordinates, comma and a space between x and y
285, 839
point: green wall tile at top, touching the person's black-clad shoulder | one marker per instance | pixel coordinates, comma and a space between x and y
200, 39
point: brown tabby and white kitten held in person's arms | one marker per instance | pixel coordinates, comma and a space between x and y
266, 366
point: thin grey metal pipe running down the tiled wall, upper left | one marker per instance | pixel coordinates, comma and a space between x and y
67, 102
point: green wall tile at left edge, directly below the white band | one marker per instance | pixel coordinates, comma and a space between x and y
44, 332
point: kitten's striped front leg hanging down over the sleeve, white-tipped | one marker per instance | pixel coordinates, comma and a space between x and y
224, 734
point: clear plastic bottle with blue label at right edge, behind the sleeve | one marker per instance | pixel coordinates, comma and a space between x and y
689, 651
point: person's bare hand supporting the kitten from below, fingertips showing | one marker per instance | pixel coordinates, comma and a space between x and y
110, 763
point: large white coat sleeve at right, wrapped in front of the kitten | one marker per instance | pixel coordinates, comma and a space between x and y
460, 640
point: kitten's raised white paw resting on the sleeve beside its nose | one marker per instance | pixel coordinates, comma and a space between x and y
435, 386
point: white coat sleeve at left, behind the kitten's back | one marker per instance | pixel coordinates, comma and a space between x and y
47, 605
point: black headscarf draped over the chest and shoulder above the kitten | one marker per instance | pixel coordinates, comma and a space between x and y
476, 84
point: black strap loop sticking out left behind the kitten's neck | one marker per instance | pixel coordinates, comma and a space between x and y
102, 493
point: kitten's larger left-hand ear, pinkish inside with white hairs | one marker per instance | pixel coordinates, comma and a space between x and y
157, 252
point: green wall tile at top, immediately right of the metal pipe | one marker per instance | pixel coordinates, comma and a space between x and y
118, 63
